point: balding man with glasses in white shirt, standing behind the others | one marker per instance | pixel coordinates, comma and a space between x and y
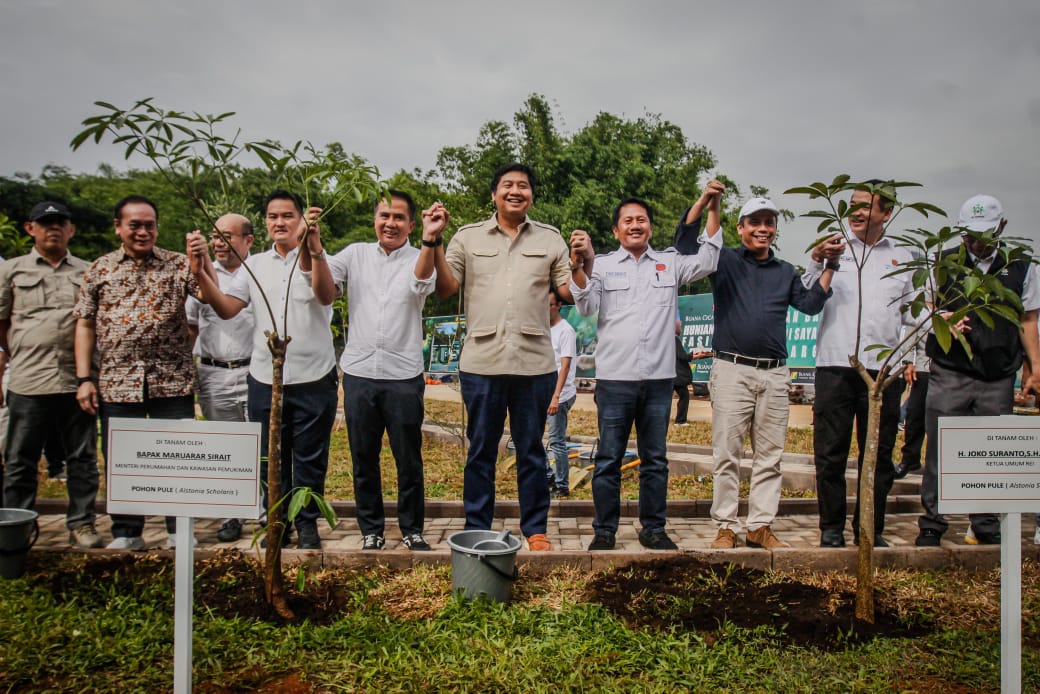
225, 347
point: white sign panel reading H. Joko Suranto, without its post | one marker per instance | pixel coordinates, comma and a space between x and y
990, 465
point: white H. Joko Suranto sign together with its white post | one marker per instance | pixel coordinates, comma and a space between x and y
993, 466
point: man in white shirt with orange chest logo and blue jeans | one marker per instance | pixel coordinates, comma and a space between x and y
635, 290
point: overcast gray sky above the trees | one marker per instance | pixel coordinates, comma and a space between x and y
944, 93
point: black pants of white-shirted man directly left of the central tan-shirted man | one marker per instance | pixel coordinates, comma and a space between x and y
396, 407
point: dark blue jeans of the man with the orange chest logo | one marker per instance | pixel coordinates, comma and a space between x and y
620, 404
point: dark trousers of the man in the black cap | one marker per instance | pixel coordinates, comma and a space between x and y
34, 421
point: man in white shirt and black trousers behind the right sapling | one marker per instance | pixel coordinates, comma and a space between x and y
842, 395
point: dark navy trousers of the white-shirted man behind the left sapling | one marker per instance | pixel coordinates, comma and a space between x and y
308, 414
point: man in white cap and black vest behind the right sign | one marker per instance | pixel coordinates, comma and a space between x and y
982, 384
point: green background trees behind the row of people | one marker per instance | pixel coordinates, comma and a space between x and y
581, 178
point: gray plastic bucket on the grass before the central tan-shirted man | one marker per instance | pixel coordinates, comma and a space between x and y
484, 563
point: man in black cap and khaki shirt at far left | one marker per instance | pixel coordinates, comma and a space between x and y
38, 293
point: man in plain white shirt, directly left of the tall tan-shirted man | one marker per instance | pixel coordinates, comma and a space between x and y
387, 284
